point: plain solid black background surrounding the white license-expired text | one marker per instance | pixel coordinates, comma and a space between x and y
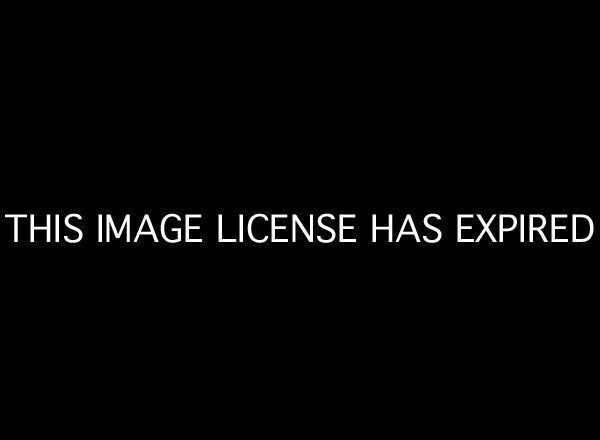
368, 113
